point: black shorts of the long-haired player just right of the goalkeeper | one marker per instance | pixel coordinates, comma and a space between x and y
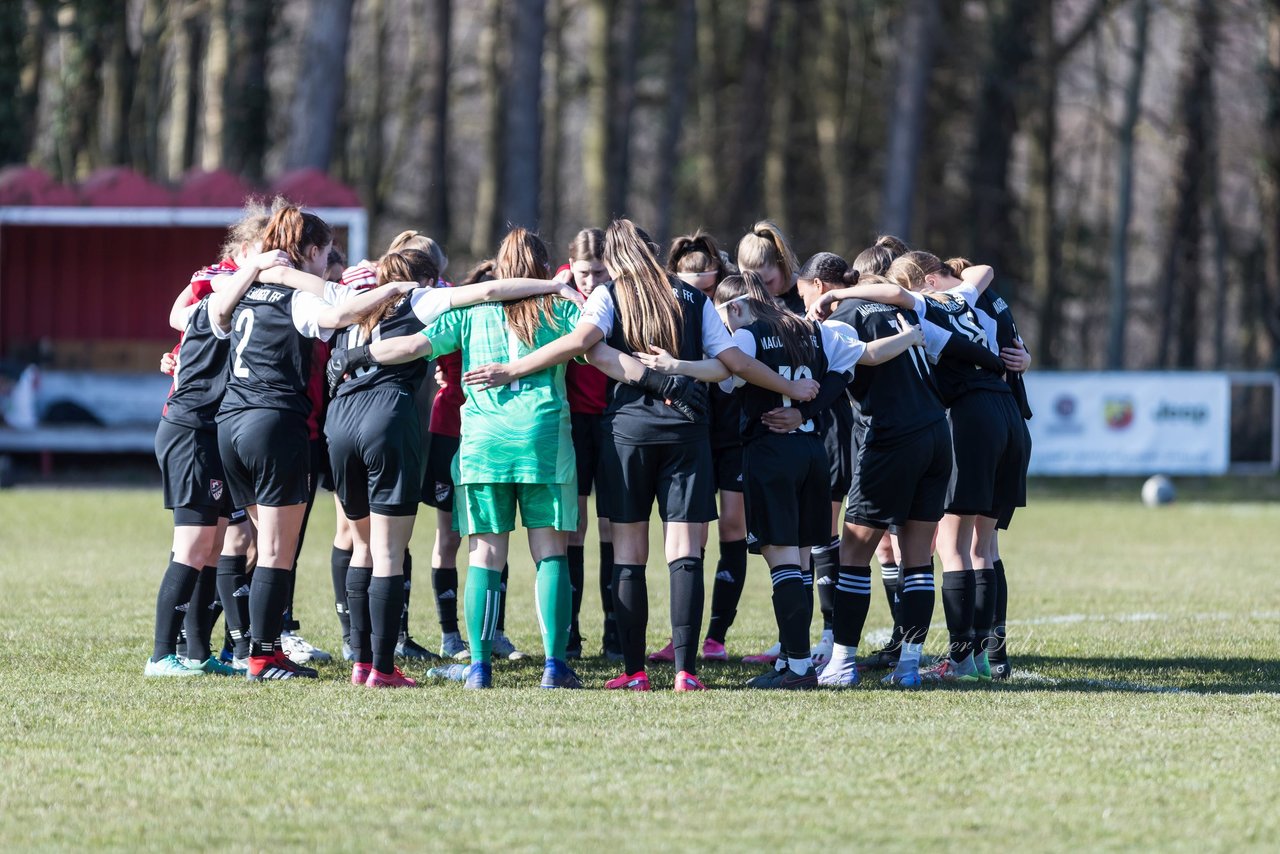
679, 477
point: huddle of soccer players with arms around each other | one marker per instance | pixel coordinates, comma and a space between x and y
826, 404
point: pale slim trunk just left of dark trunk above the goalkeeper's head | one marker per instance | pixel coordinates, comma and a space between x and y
488, 188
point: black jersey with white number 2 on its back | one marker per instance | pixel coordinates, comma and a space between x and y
271, 360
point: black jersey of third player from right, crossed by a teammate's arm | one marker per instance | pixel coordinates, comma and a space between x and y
897, 398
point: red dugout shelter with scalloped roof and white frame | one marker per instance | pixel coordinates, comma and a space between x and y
88, 273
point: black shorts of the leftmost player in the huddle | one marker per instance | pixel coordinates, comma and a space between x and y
191, 469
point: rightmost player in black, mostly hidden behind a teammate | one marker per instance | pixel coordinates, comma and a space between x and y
991, 590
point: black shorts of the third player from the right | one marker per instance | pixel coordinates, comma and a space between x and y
903, 479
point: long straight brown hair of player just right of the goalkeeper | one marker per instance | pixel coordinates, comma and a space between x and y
643, 295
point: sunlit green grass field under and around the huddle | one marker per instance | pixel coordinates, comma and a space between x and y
1146, 714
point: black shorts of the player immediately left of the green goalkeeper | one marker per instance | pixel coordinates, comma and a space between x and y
376, 451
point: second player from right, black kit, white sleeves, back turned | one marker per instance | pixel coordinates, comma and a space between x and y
991, 456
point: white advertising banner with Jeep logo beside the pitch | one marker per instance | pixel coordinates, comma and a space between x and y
1130, 423
